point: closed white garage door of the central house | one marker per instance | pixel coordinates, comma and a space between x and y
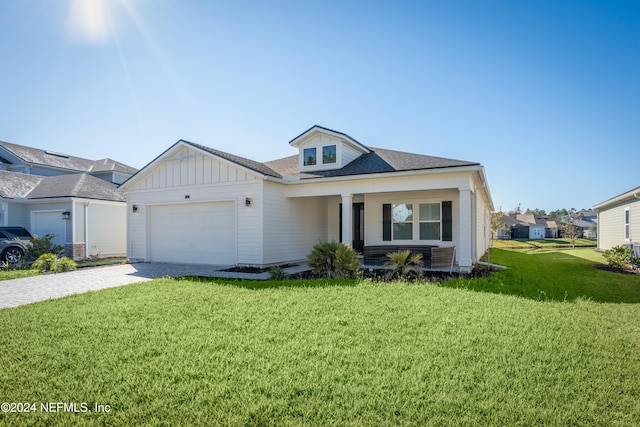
193, 233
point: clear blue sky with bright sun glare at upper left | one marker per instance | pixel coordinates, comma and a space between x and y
544, 94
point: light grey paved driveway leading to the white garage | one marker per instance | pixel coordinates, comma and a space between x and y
39, 288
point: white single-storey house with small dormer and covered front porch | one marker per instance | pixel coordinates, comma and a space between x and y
195, 204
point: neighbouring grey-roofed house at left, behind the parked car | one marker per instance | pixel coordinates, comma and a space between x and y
73, 198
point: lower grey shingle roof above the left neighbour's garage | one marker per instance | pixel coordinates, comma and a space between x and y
17, 185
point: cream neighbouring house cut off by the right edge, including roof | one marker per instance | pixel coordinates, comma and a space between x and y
619, 220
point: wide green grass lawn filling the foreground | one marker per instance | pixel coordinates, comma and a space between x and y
189, 352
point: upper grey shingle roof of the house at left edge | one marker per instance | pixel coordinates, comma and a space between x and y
64, 161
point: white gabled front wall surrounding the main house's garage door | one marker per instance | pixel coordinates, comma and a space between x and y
187, 176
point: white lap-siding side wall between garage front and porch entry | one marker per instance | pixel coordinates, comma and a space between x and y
292, 226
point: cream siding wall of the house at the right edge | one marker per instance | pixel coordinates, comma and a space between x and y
611, 226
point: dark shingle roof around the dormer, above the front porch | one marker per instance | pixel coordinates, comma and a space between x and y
377, 161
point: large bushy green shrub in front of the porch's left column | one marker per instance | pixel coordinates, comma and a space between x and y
333, 259
